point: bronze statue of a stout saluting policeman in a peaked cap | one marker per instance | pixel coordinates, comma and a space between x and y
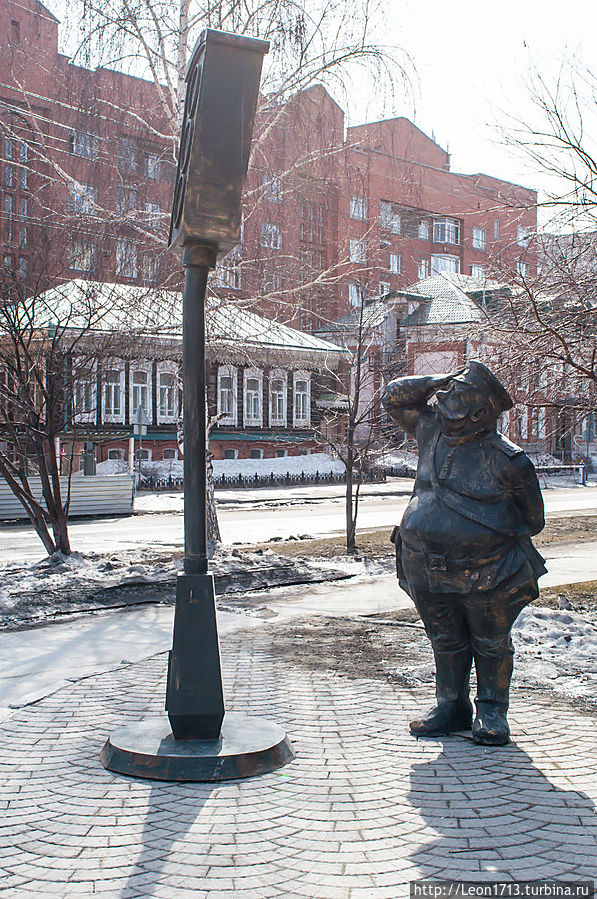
463, 548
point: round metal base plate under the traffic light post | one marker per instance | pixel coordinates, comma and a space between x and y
247, 746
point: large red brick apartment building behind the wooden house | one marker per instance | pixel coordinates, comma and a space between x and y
332, 214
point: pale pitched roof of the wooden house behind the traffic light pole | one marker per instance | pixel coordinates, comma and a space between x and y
155, 312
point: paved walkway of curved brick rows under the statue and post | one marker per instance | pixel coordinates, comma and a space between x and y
362, 811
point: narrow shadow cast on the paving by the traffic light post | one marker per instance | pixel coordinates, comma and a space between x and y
173, 810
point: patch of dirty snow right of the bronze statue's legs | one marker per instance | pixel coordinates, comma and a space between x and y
557, 648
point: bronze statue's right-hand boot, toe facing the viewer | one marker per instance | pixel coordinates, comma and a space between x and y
490, 727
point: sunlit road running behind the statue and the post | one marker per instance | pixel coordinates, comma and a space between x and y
316, 512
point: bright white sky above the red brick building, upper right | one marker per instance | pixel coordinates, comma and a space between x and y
472, 60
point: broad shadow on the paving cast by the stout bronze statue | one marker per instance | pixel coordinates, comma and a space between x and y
498, 816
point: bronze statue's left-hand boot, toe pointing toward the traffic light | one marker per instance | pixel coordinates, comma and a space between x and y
453, 710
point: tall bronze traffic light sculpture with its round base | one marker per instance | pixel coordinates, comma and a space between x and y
198, 740
